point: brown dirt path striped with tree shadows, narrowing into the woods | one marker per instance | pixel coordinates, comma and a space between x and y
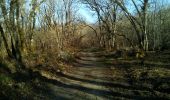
92, 79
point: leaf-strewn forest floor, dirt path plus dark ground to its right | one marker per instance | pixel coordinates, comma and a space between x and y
94, 76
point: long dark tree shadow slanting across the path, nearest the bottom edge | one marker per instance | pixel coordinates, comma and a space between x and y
101, 93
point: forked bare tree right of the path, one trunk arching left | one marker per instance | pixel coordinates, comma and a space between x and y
139, 22
